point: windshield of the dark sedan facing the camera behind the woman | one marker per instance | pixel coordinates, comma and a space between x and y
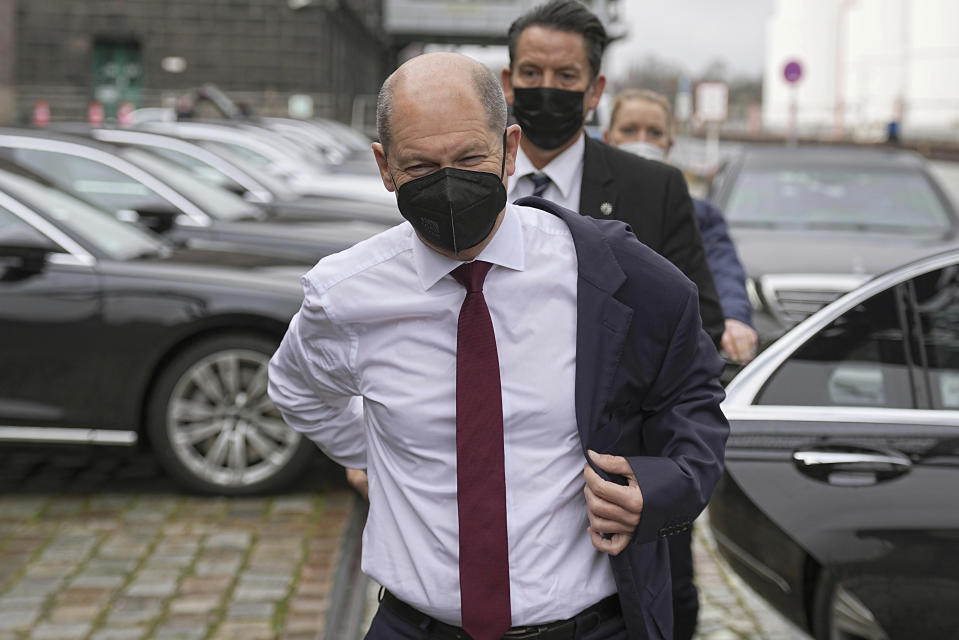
840, 198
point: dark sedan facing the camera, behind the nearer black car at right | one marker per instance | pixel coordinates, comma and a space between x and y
813, 222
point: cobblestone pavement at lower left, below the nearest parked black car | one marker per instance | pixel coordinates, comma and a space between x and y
100, 546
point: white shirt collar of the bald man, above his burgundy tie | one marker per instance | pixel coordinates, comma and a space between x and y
505, 249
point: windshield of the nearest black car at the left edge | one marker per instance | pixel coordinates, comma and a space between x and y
118, 240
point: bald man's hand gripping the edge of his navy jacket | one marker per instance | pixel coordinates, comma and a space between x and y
612, 508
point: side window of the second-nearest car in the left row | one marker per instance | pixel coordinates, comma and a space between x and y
98, 183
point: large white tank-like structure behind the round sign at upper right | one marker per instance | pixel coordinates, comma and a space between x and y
865, 63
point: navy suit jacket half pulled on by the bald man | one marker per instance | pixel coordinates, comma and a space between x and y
647, 389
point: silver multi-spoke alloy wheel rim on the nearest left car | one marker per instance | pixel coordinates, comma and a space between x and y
223, 426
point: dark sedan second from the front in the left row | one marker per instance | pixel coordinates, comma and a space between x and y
140, 186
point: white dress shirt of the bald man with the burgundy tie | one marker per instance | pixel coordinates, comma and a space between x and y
379, 322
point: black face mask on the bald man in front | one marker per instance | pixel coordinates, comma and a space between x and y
454, 209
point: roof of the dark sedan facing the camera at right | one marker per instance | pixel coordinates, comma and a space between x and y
831, 155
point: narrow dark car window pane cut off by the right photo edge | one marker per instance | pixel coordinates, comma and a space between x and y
937, 306
